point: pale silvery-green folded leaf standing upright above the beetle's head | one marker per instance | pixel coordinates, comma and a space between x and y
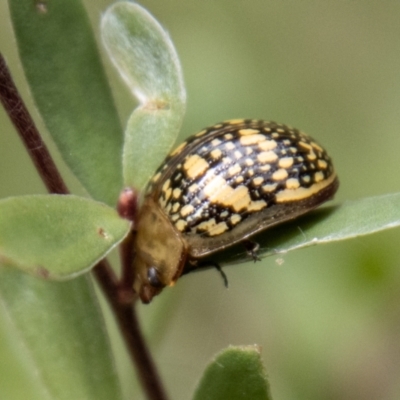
145, 57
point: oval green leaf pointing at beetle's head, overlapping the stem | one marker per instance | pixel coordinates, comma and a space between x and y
56, 236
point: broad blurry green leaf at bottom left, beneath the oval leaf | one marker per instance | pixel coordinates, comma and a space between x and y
54, 336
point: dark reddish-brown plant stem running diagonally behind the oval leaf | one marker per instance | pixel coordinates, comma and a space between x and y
122, 306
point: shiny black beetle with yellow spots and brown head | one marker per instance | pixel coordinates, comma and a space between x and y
220, 187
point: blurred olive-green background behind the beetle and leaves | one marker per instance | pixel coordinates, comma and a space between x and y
328, 317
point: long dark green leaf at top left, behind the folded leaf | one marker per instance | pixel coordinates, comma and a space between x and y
65, 75
